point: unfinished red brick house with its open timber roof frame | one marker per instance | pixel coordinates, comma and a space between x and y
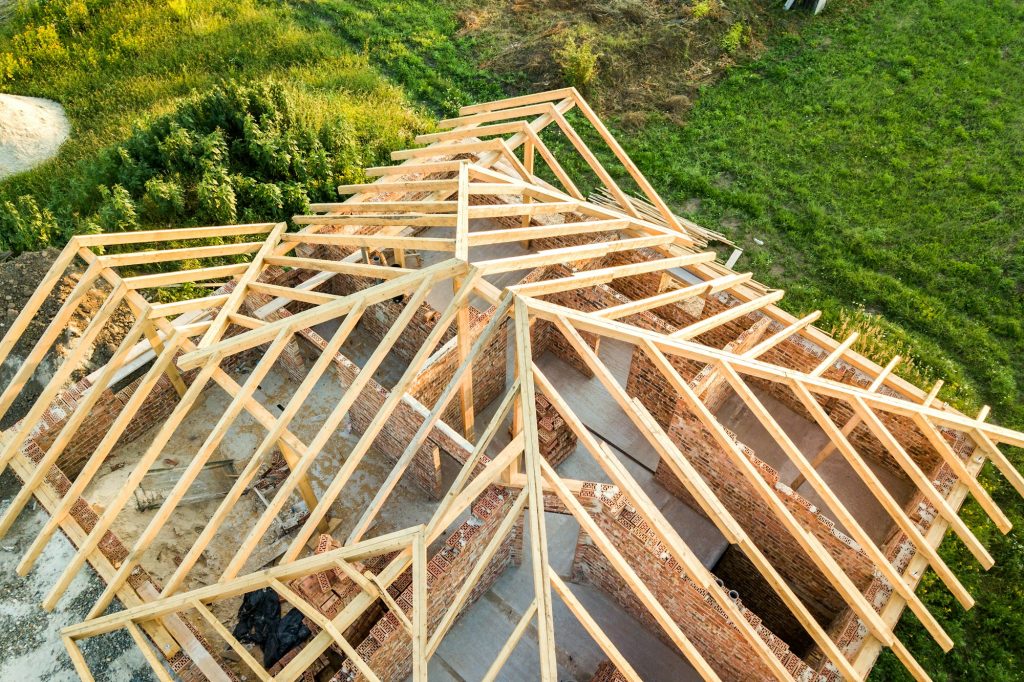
467, 405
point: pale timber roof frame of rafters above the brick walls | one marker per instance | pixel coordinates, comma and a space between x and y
441, 187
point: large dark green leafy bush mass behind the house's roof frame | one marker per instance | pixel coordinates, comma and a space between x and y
239, 152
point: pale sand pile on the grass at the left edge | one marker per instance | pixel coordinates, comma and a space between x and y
31, 132
